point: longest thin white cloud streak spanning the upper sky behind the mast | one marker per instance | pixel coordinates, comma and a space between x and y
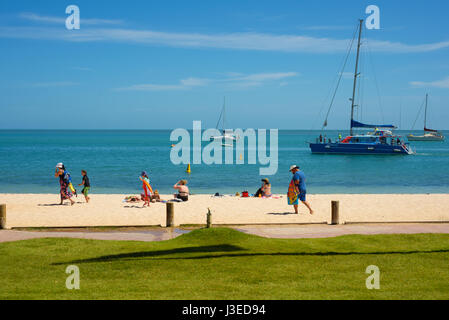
235, 41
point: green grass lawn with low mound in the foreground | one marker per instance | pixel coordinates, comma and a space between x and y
222, 263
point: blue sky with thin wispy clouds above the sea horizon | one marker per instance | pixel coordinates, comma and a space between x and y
163, 64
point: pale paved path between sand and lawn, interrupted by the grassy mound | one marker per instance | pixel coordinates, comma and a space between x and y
287, 232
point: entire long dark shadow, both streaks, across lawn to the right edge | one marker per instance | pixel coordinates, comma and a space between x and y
239, 254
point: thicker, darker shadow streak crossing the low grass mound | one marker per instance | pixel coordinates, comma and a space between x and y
146, 254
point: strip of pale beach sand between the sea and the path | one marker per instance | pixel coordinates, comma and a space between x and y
41, 210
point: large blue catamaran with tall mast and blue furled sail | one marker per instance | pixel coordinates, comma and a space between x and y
380, 142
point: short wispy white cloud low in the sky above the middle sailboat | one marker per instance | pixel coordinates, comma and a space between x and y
251, 80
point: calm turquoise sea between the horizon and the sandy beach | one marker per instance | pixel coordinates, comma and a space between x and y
114, 160
